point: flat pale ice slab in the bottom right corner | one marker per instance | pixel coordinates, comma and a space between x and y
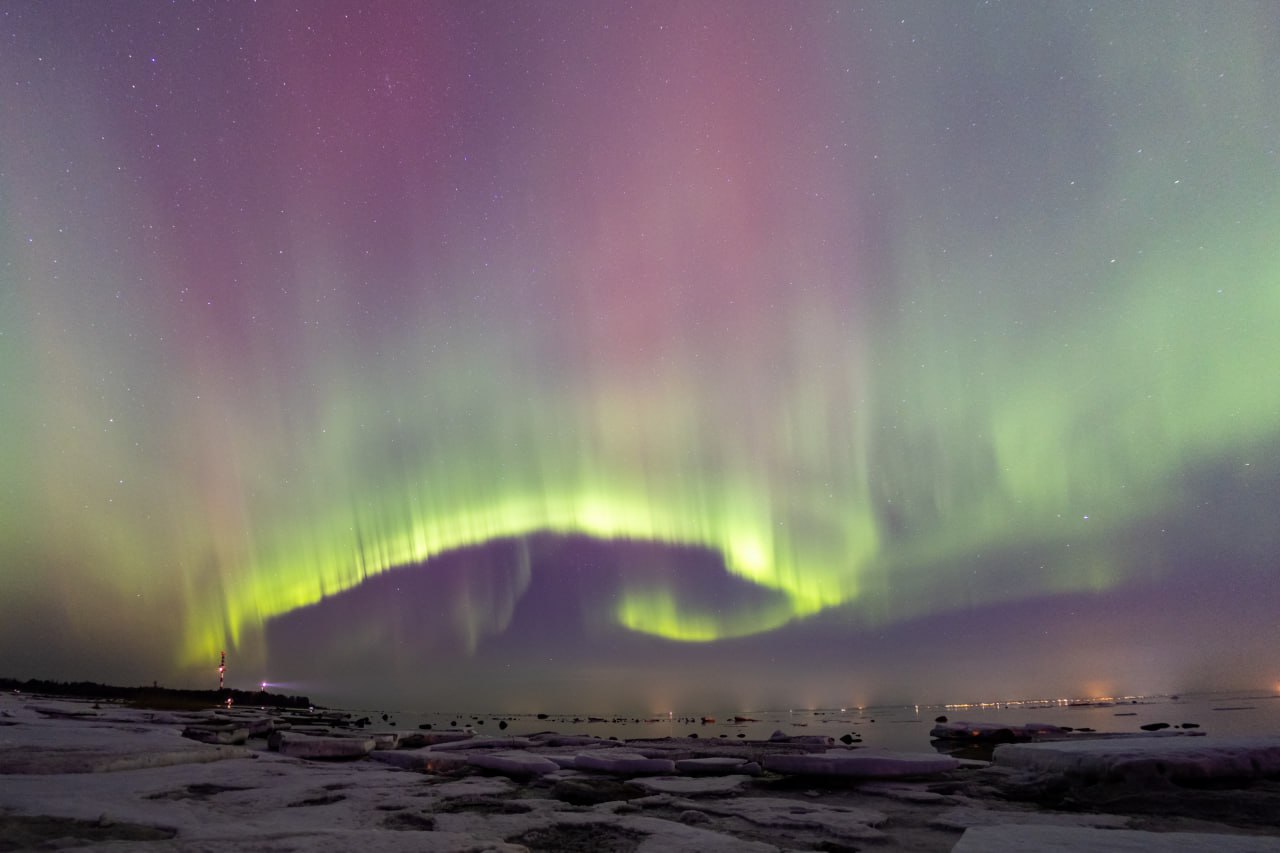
1020, 838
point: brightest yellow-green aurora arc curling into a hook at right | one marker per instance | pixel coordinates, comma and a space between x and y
346, 558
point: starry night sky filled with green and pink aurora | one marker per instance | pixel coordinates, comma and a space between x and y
633, 357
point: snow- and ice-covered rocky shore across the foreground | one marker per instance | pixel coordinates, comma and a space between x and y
80, 777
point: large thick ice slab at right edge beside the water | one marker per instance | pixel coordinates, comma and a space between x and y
1174, 759
